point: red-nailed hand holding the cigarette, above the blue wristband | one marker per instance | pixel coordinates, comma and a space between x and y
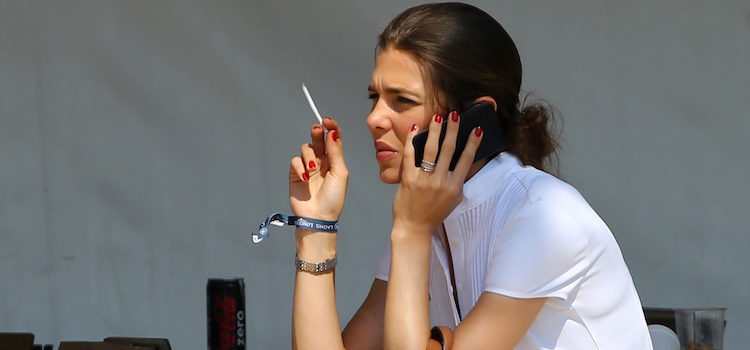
318, 177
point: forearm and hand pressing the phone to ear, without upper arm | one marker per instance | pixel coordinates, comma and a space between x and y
423, 200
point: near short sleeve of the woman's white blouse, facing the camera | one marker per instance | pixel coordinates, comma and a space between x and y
540, 252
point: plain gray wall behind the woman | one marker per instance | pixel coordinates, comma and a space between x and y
141, 142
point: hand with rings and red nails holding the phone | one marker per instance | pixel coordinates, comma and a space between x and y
424, 199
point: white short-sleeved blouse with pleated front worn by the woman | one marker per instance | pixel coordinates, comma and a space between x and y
522, 233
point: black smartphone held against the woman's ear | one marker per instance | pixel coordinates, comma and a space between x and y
481, 114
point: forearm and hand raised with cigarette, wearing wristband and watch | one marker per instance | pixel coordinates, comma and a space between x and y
317, 189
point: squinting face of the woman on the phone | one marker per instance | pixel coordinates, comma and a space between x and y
399, 100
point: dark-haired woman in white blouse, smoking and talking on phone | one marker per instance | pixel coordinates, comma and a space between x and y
509, 256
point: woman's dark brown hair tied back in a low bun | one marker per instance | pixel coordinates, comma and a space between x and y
464, 54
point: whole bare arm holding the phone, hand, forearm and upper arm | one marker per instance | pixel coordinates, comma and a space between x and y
423, 200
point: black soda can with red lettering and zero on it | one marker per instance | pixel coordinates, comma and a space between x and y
226, 313
